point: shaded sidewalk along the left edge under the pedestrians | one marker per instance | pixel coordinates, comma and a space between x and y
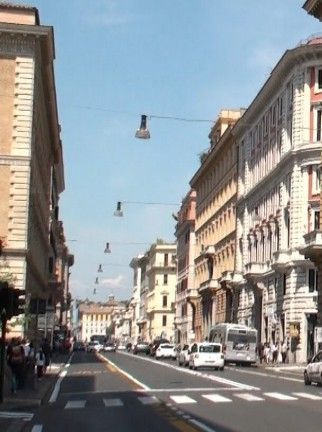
16, 408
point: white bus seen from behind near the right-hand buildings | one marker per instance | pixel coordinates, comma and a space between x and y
239, 342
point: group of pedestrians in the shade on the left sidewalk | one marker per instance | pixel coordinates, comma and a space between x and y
24, 360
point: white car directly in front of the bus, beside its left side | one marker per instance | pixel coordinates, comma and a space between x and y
207, 354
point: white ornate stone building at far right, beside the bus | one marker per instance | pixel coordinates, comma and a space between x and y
279, 148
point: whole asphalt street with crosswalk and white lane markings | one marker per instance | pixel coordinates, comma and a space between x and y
130, 392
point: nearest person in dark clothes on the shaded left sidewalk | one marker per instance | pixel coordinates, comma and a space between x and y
16, 362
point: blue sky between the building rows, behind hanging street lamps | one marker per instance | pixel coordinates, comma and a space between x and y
118, 59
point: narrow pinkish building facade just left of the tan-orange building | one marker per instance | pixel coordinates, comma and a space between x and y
187, 297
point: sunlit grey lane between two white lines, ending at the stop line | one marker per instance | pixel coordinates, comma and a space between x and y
155, 374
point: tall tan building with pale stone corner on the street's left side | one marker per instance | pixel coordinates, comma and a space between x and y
31, 161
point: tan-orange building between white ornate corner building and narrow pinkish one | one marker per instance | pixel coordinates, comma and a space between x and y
215, 184
